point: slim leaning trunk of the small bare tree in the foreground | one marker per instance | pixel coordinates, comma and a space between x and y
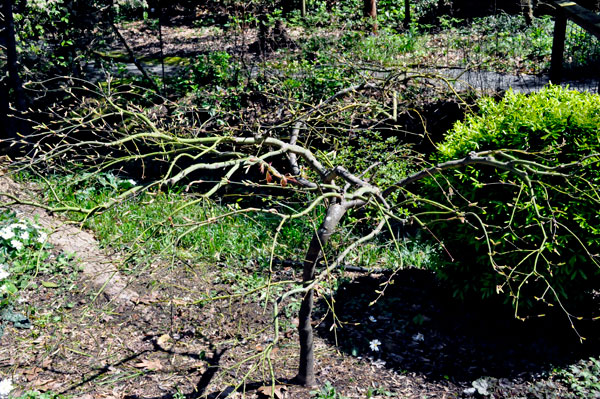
306, 370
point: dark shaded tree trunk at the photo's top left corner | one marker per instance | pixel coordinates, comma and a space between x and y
17, 126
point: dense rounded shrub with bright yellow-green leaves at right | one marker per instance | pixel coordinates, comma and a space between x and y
544, 250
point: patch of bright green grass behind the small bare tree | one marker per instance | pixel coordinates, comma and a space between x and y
202, 231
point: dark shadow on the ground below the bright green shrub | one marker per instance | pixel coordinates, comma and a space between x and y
422, 329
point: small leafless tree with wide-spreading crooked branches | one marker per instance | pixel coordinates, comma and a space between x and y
106, 132
